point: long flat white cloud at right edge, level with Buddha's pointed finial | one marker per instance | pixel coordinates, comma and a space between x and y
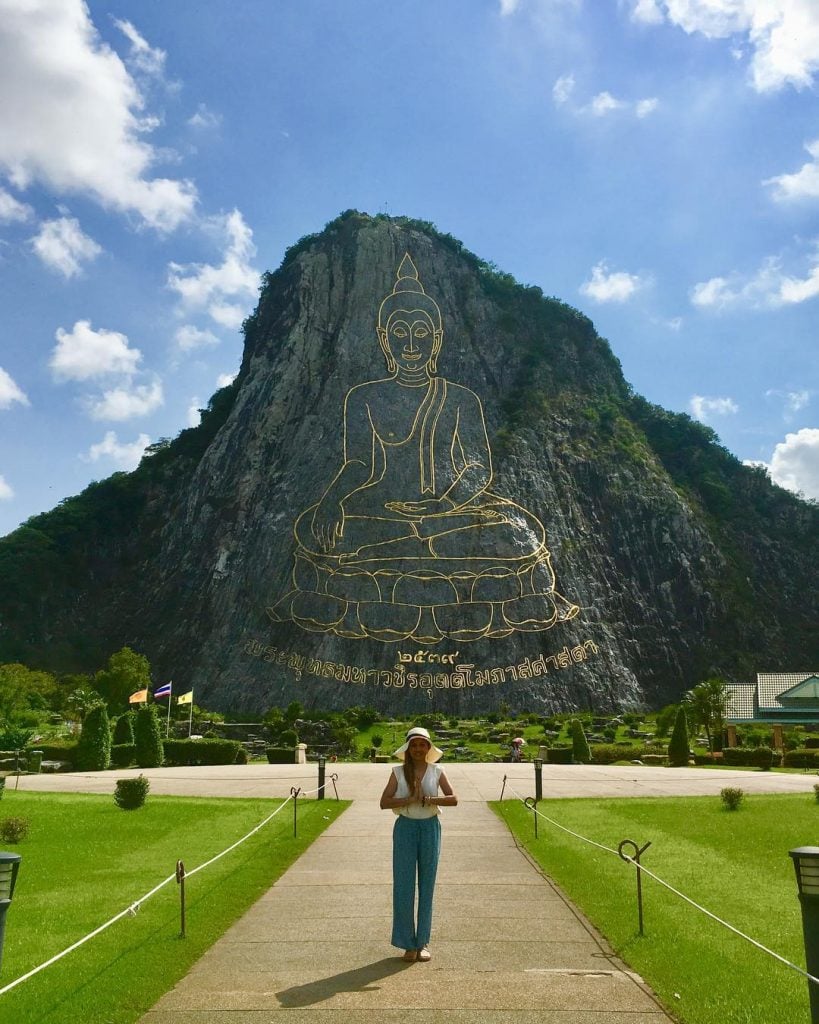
769, 288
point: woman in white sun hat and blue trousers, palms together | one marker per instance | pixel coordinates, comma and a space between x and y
413, 794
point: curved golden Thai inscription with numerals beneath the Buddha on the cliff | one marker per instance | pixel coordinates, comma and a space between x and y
463, 676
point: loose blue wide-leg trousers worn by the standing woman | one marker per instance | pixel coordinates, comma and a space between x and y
416, 847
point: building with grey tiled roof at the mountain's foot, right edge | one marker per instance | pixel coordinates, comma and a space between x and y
778, 698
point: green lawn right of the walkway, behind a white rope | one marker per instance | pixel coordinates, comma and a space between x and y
734, 864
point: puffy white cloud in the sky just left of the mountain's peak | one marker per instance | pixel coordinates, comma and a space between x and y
208, 288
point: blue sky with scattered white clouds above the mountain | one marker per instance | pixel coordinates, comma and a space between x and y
654, 163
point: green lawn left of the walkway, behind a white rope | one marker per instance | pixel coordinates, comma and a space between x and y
85, 861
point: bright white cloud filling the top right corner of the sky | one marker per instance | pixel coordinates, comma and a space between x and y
783, 35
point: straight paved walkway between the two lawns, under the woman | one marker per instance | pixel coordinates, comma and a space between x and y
507, 948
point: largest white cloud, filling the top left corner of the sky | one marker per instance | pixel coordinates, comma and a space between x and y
76, 121
